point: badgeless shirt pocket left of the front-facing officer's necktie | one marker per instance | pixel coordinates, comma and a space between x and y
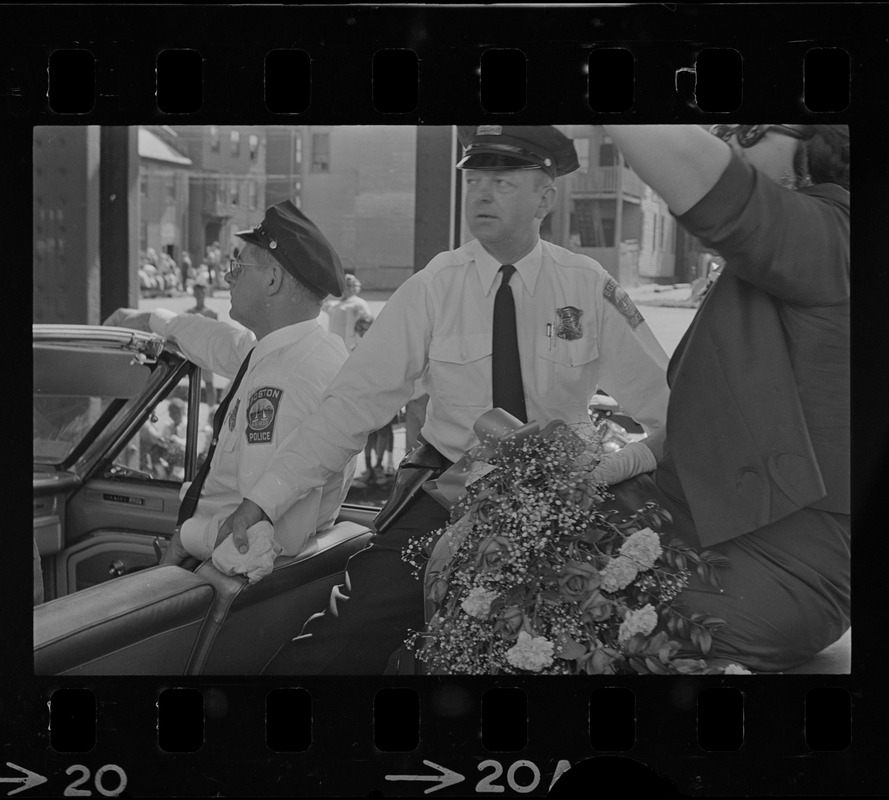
460, 370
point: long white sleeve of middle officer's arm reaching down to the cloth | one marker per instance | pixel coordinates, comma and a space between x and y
376, 381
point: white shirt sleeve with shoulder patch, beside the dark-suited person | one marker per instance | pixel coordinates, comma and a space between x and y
632, 363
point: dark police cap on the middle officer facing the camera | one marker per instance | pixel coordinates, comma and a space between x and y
517, 147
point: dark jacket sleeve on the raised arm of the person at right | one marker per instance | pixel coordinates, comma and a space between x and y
793, 245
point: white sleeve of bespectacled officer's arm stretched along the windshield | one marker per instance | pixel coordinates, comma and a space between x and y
210, 344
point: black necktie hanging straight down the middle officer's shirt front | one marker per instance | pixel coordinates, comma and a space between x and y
506, 369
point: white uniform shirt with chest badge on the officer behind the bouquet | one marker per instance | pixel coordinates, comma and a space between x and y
577, 330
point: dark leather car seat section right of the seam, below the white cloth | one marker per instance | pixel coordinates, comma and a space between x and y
248, 623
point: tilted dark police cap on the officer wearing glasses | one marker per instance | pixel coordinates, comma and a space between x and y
298, 246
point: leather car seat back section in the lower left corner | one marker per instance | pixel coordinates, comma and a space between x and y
145, 623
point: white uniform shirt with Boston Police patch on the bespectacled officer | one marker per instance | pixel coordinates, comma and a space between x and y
288, 372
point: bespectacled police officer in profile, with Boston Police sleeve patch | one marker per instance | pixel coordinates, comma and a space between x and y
282, 275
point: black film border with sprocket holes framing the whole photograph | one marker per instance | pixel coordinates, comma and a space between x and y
463, 727
